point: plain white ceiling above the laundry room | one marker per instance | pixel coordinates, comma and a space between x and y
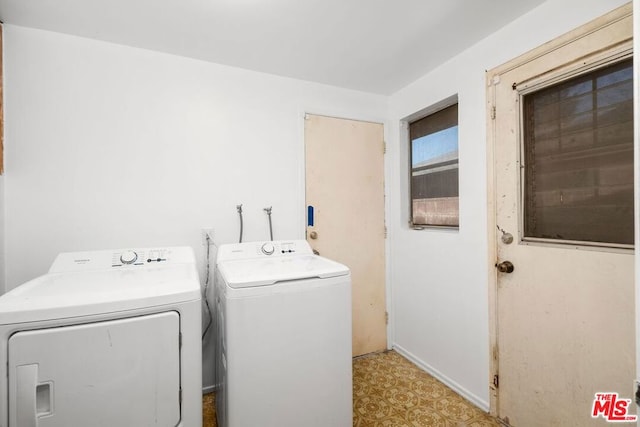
376, 46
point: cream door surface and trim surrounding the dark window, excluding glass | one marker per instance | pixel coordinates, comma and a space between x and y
564, 317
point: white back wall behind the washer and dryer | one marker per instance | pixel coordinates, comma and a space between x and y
109, 146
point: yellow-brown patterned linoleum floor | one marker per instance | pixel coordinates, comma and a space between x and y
390, 391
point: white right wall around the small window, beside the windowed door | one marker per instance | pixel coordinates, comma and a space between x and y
440, 278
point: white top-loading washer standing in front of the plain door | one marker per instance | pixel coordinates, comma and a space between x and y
284, 337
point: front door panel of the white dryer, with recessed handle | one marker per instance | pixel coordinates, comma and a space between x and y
123, 372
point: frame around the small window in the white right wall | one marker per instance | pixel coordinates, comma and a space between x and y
406, 122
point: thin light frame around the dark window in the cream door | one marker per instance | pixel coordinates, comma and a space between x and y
525, 88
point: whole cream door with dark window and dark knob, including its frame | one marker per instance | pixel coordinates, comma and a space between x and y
561, 129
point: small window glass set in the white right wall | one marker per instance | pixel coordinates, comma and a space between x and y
434, 169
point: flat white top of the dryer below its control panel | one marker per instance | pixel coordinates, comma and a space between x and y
67, 294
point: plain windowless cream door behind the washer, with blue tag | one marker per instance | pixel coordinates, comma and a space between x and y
345, 214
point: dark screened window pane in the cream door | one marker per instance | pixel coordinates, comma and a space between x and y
578, 156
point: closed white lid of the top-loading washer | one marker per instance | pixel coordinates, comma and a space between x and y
248, 273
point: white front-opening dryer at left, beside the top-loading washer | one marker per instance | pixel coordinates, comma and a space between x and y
105, 338
